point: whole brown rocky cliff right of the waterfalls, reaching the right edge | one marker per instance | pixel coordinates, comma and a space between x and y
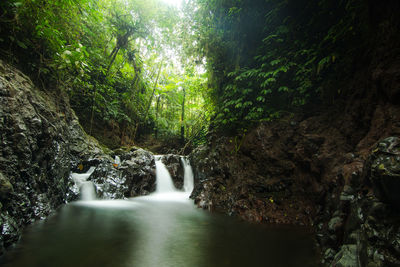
334, 170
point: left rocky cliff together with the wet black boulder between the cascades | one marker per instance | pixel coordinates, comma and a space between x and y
41, 143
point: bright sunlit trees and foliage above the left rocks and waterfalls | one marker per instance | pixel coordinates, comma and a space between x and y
118, 61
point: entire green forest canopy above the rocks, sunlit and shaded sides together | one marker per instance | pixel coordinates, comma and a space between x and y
151, 68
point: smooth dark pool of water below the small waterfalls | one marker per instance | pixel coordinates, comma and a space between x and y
151, 233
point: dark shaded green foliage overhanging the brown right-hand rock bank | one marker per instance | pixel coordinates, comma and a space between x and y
269, 57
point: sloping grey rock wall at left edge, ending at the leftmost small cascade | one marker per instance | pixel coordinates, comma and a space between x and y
40, 138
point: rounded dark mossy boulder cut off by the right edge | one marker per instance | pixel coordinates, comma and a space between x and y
384, 171
